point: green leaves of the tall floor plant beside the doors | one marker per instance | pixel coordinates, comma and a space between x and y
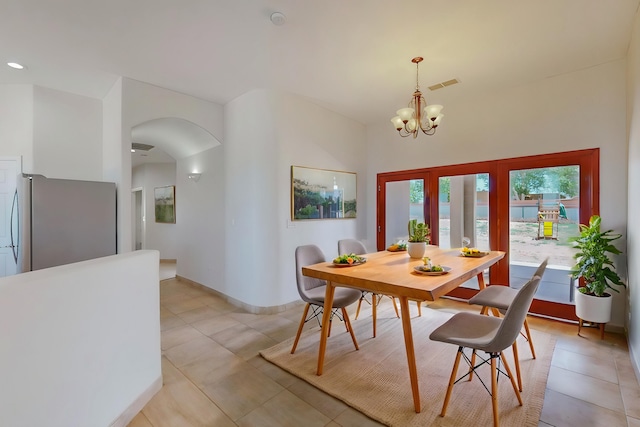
593, 264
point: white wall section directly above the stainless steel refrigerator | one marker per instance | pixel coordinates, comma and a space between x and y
67, 135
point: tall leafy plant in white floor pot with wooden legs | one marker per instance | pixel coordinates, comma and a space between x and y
593, 264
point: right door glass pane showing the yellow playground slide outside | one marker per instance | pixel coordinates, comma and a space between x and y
545, 211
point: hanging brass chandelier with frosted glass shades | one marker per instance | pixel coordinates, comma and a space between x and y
411, 119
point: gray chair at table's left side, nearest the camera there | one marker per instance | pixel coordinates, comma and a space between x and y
312, 291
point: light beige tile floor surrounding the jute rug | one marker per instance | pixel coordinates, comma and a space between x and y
213, 375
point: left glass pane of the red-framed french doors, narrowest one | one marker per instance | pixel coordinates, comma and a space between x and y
404, 201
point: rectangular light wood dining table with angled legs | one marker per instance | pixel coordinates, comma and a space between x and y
393, 273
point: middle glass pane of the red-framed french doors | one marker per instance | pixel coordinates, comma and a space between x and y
463, 212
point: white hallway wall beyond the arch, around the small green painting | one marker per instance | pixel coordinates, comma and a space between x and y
158, 236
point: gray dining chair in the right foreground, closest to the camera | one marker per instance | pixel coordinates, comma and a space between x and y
488, 334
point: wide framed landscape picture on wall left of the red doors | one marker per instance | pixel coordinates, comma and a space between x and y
322, 194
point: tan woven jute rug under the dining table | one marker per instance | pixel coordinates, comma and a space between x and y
375, 379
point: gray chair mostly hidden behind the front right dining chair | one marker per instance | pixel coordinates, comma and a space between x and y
499, 298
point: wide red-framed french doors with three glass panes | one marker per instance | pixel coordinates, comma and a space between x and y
528, 207
